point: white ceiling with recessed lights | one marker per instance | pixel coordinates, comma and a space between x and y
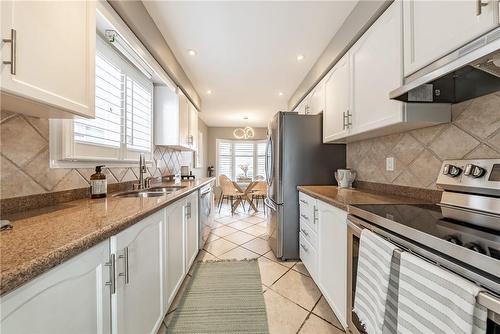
247, 51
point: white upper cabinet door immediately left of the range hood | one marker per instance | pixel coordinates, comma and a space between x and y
376, 65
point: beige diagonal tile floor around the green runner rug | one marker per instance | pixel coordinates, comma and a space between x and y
293, 301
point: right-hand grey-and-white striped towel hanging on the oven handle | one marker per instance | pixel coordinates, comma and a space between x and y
434, 300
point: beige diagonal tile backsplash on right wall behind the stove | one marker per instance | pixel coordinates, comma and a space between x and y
474, 133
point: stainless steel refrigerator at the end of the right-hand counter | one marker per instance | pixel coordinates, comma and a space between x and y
295, 155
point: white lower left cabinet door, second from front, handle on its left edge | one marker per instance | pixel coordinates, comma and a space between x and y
138, 301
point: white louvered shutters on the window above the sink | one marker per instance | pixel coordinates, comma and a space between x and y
124, 107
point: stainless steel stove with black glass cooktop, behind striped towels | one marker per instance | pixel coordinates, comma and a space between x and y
461, 233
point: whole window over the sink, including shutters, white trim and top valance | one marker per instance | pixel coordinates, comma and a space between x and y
122, 128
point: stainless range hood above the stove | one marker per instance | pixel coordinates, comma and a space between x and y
469, 72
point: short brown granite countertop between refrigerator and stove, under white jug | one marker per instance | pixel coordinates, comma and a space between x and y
343, 197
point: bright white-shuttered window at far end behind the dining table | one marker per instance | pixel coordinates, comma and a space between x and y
233, 155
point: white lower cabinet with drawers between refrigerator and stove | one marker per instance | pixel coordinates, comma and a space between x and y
325, 254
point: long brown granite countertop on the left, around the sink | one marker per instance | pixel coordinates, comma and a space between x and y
43, 238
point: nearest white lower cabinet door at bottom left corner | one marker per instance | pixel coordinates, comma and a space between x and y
70, 298
